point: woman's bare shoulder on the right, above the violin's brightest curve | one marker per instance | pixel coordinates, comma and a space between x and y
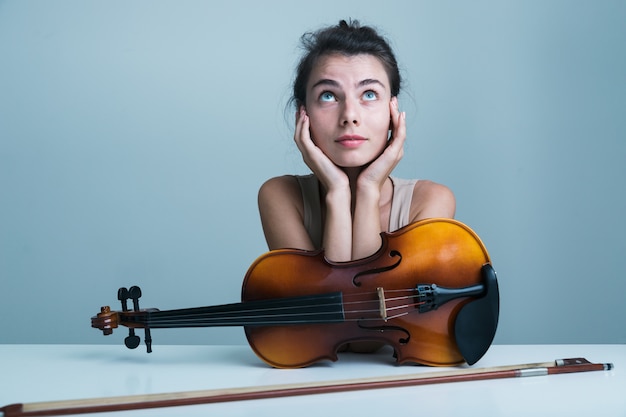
431, 199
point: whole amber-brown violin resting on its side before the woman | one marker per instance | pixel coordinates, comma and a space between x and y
430, 292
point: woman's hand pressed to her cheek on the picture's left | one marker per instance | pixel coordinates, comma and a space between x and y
329, 174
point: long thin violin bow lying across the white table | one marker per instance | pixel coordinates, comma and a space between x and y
136, 402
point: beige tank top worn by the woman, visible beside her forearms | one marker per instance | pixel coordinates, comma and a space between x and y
400, 205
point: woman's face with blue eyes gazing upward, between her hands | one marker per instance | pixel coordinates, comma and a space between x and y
348, 107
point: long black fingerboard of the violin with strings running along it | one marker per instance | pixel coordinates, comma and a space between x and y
324, 308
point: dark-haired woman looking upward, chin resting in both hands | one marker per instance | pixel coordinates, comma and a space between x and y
351, 135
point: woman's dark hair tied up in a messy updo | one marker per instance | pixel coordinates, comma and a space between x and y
349, 39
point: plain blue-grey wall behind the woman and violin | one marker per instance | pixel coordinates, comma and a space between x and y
134, 136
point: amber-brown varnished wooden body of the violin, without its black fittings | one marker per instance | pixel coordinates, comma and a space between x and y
444, 252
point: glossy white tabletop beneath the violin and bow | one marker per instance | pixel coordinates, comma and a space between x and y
35, 373
